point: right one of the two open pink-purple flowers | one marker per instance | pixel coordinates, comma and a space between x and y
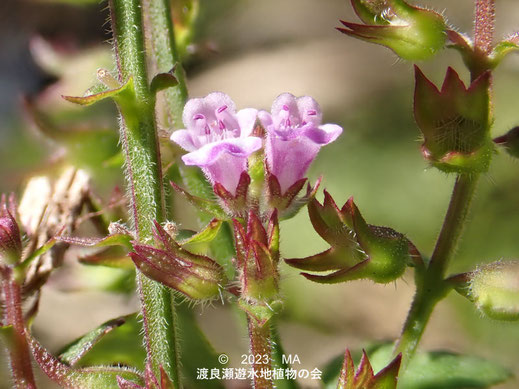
294, 136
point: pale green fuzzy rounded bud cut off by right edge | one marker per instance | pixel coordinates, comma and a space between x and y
495, 290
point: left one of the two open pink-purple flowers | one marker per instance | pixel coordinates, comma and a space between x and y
218, 138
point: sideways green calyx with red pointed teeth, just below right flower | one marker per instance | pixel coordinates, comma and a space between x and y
358, 250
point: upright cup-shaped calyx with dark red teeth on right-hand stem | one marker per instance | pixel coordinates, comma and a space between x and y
455, 122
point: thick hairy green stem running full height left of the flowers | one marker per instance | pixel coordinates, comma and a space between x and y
143, 169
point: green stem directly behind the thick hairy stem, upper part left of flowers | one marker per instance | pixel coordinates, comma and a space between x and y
164, 55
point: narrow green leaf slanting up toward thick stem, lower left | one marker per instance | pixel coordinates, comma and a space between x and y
75, 350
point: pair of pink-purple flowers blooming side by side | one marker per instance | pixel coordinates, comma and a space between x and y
219, 139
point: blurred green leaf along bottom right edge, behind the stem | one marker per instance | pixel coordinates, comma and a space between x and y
430, 370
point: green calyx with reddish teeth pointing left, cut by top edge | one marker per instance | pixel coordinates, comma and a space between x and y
413, 33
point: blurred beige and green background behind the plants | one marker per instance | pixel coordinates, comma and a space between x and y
255, 50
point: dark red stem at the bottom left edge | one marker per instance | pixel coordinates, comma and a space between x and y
19, 355
